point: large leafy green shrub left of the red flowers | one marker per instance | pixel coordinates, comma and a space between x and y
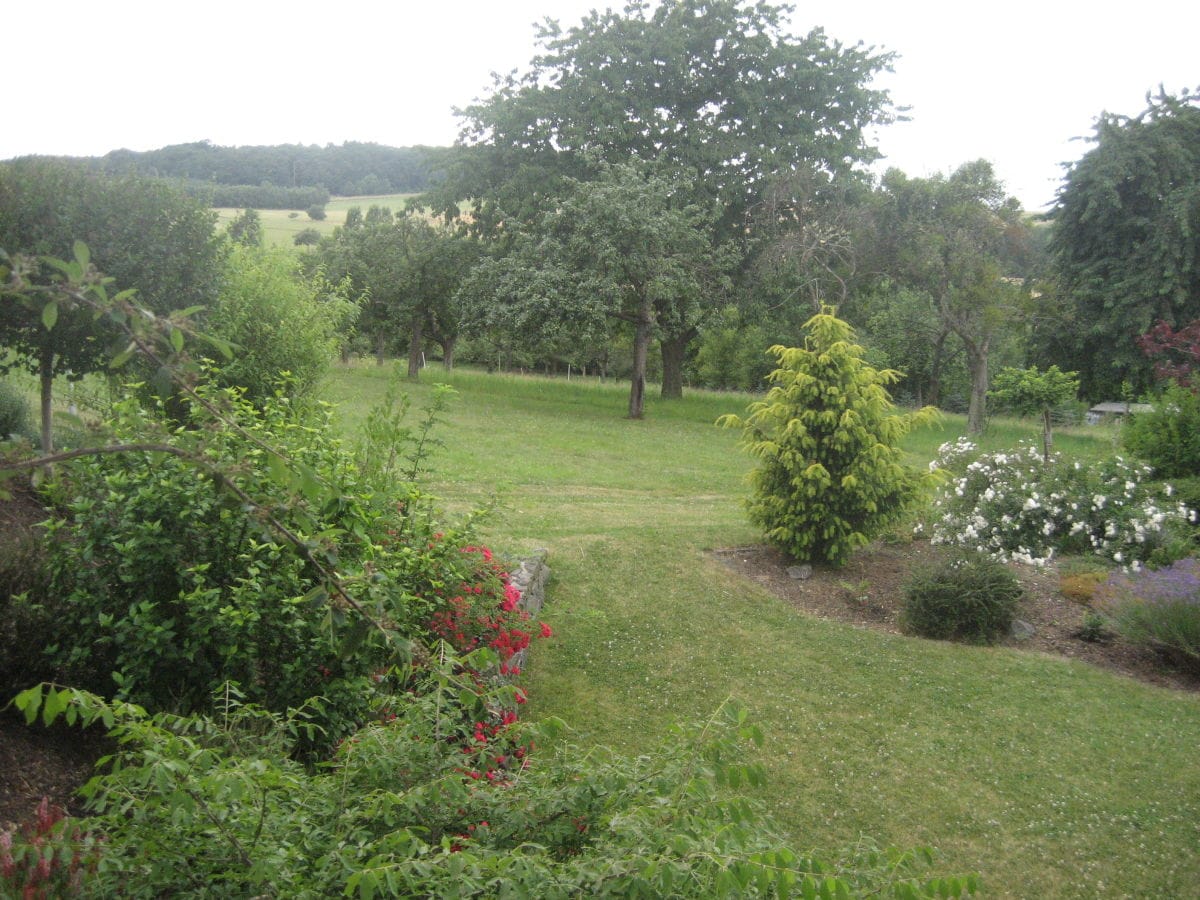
173, 572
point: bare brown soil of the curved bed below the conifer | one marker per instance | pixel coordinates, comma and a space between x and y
869, 590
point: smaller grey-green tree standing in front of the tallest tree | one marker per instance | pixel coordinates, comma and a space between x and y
625, 247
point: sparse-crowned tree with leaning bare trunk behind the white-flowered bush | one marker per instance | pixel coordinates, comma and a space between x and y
961, 241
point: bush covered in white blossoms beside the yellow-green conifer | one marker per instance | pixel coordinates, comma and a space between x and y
1013, 507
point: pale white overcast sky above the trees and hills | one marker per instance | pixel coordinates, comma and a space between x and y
1018, 83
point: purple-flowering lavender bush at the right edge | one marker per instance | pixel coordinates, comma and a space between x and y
1159, 610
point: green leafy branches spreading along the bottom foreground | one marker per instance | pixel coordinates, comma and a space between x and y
203, 806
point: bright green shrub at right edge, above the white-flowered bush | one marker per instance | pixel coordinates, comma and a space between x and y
1168, 437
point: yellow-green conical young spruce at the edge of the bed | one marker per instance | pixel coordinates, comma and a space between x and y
827, 437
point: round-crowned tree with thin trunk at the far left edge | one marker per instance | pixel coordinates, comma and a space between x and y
143, 233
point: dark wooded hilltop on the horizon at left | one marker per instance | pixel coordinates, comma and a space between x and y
286, 173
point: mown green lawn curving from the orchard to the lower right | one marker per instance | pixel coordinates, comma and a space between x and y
1048, 777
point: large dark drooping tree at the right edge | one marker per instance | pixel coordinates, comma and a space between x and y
1127, 242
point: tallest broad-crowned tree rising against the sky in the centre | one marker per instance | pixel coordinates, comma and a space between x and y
716, 93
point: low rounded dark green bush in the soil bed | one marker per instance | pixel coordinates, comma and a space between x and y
971, 597
